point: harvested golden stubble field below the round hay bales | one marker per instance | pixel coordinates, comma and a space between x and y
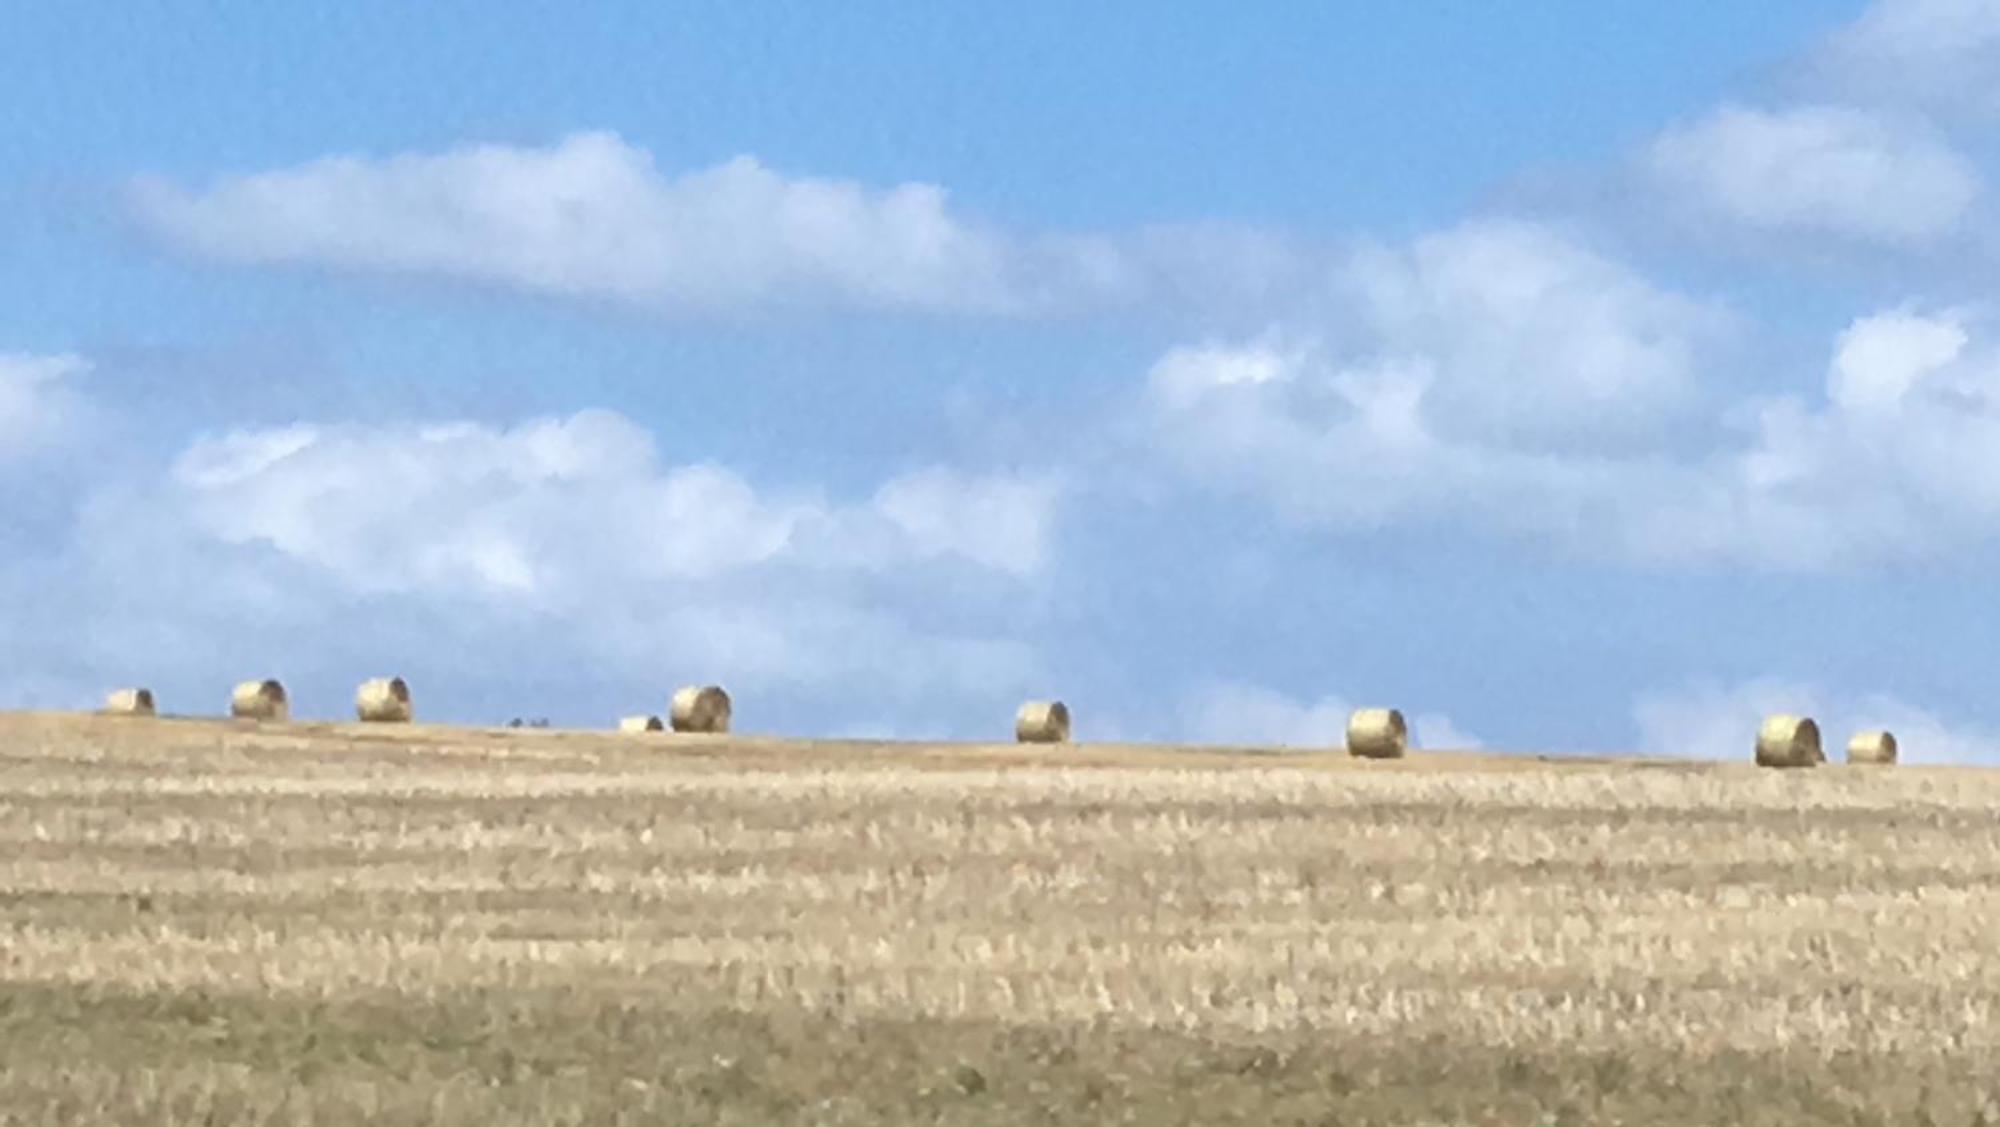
209, 922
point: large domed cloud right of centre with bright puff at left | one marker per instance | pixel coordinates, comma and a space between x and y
1499, 375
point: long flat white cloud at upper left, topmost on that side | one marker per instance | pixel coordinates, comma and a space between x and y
593, 219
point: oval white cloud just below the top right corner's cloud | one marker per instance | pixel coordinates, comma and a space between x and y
1823, 171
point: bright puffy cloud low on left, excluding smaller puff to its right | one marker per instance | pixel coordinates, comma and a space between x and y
543, 509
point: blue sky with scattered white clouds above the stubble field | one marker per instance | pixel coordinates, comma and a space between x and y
1573, 377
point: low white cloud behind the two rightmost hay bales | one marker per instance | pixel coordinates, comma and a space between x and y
1719, 722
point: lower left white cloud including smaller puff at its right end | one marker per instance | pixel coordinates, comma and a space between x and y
551, 511
